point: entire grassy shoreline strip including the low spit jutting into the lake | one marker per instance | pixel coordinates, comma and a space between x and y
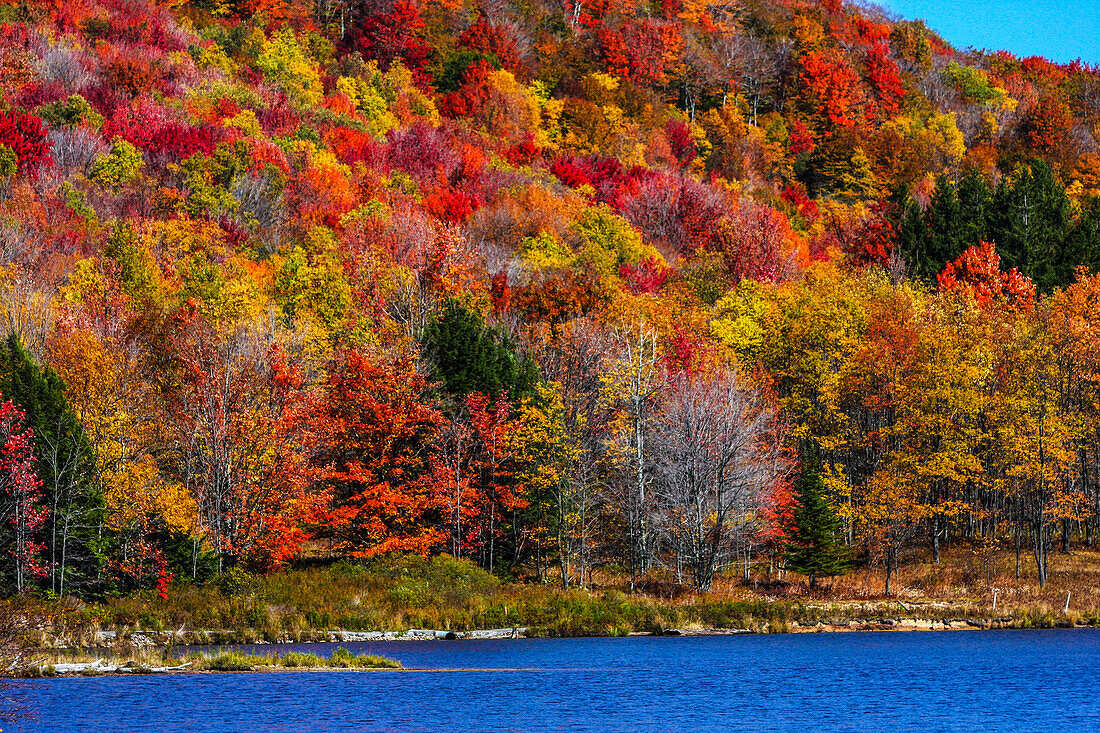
420, 599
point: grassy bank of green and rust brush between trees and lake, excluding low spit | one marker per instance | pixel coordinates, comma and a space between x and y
444, 594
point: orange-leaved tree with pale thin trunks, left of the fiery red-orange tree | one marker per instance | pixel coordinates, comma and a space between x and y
232, 401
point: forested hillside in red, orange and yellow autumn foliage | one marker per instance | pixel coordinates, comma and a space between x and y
667, 290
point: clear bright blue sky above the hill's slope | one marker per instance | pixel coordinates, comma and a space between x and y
1061, 31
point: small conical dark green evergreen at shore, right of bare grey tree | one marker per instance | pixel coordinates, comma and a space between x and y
815, 548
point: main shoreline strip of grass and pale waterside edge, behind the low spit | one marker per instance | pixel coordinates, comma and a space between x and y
410, 599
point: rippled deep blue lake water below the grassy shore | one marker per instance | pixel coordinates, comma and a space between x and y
1013, 681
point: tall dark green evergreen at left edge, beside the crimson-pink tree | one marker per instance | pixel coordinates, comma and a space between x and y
74, 530
